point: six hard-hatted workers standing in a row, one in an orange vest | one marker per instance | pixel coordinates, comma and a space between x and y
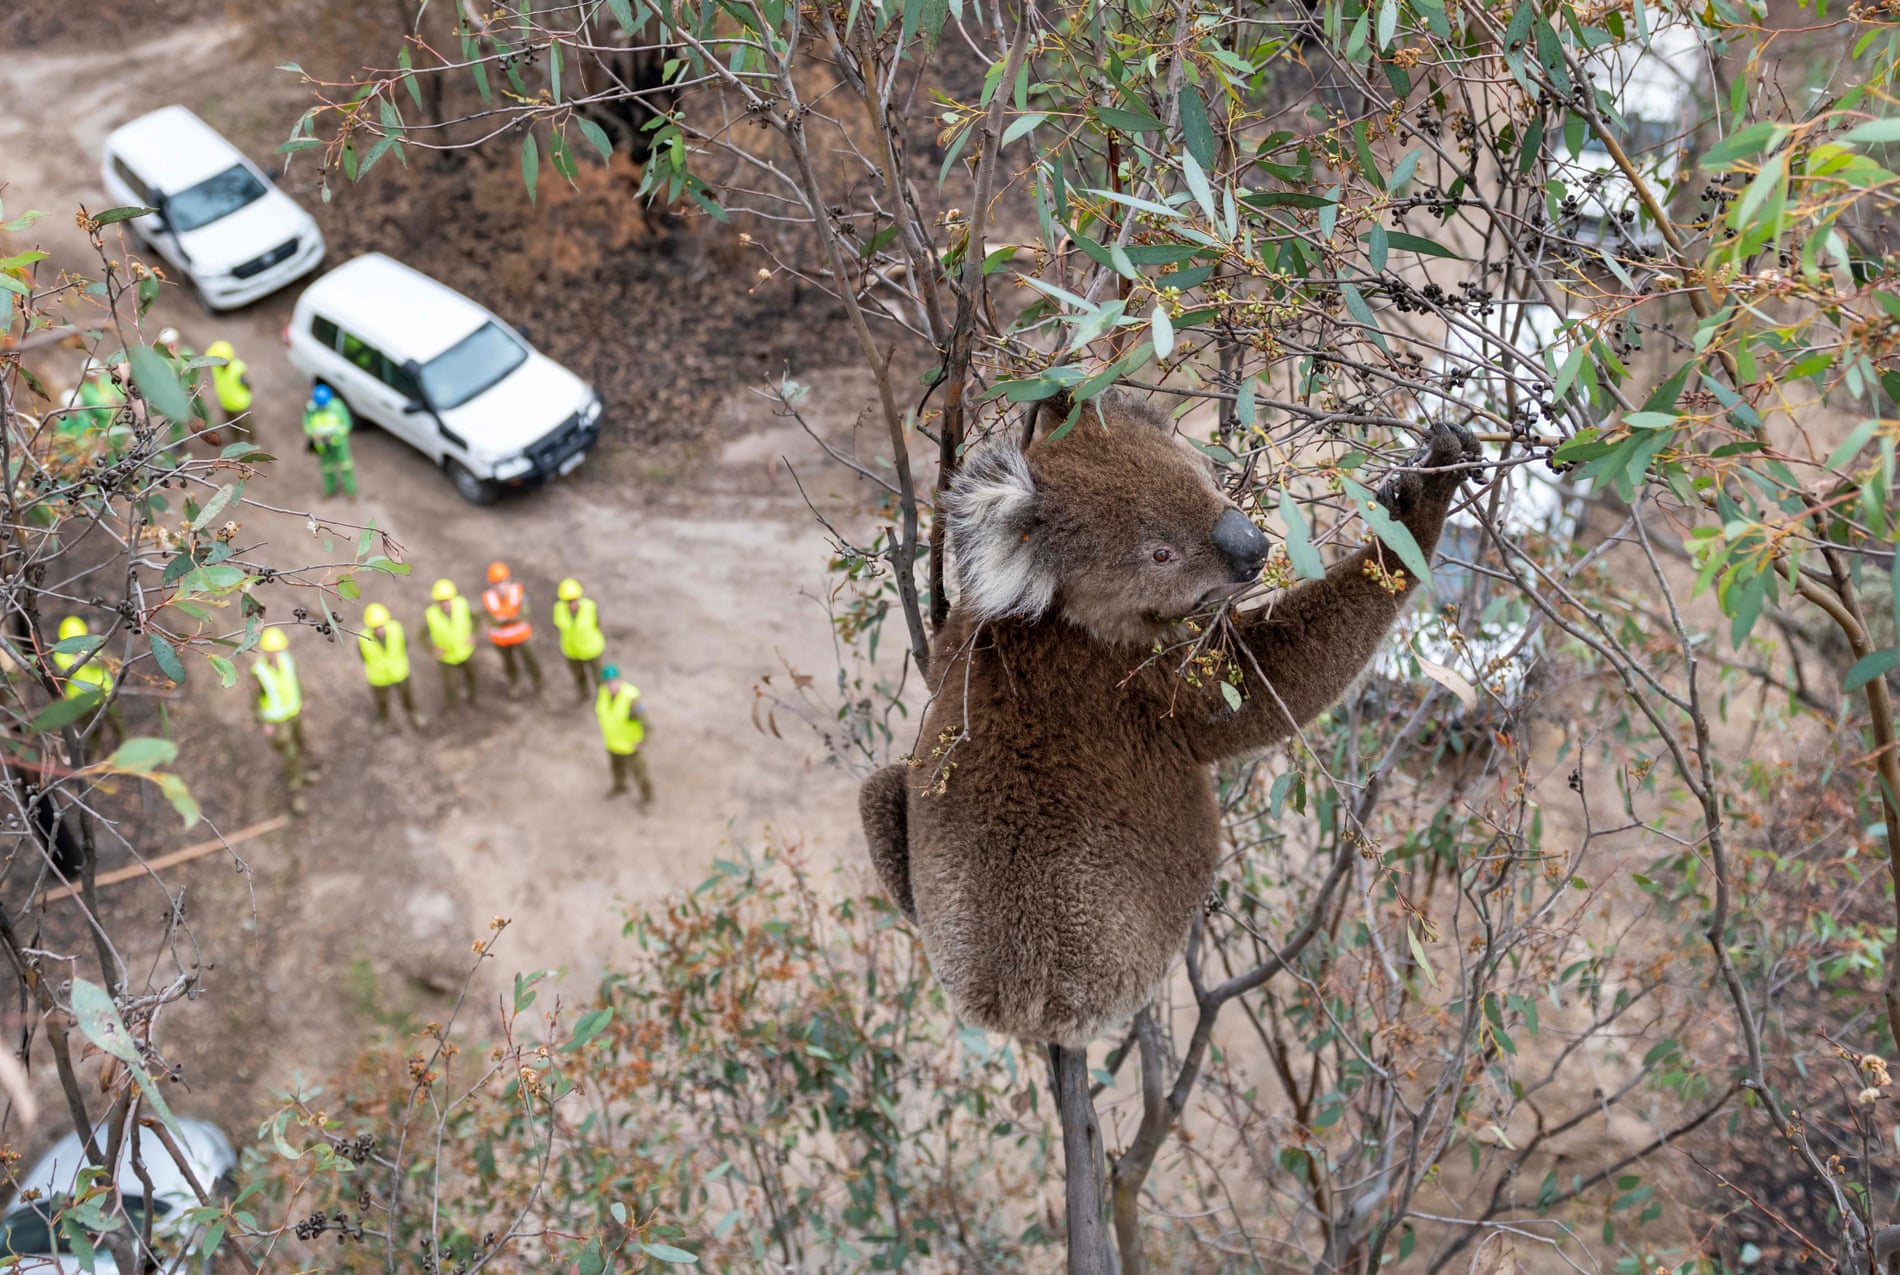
451, 628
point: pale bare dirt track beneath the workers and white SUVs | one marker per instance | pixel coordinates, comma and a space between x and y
706, 577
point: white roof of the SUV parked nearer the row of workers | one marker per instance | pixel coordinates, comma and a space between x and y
394, 307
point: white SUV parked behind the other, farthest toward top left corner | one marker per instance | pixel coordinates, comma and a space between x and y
219, 219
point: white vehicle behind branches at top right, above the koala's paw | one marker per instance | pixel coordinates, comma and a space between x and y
1656, 88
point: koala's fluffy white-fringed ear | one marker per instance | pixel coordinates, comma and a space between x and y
993, 520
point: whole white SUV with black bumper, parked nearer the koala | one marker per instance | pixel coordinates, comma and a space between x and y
444, 375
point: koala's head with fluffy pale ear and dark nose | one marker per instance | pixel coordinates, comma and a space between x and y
1116, 527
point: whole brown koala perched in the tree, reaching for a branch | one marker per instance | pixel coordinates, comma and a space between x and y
1055, 829
